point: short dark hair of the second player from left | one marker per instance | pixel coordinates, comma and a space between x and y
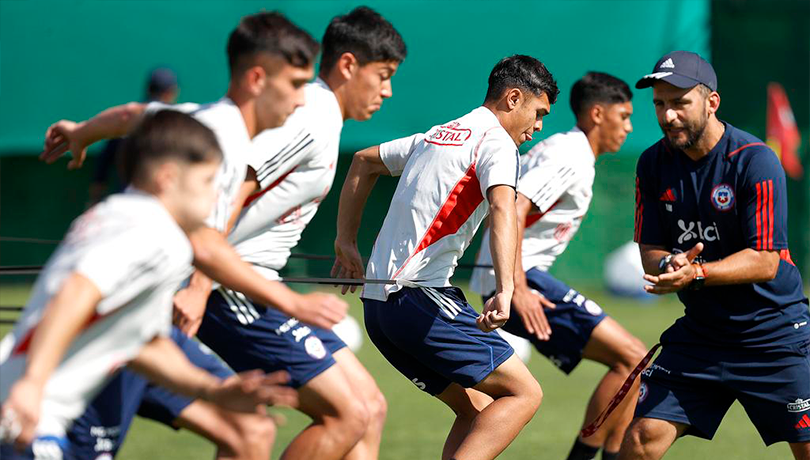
272, 33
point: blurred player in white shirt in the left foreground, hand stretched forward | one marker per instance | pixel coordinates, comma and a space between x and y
104, 298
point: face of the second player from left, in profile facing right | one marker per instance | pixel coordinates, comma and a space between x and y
281, 94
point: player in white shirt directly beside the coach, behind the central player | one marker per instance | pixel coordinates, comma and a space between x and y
554, 193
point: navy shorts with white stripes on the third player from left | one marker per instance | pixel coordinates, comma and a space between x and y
250, 336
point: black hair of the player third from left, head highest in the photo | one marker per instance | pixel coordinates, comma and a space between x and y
364, 33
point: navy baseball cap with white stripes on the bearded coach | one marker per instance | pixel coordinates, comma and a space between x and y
683, 69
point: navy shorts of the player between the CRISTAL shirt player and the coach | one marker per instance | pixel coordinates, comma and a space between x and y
572, 322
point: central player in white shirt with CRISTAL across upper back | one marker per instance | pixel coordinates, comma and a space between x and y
452, 176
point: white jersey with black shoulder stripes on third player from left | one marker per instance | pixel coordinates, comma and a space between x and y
295, 166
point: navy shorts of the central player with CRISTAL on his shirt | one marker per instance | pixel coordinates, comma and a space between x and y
430, 336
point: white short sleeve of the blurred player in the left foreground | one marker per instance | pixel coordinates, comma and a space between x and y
117, 263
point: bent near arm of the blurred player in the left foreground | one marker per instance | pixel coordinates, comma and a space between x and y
68, 311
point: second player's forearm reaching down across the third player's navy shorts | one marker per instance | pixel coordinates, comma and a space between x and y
217, 259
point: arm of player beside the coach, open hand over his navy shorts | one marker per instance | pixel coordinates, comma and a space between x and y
526, 302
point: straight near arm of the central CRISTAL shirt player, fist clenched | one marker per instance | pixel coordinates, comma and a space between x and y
503, 244
